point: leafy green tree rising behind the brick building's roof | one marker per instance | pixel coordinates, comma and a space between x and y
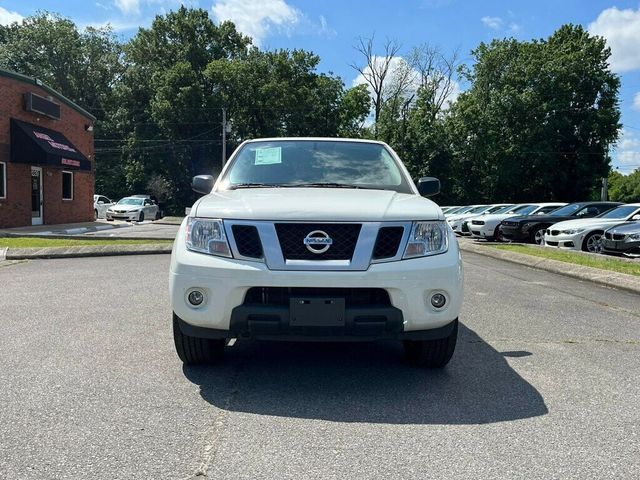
85, 66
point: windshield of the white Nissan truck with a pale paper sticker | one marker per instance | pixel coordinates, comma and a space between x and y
315, 163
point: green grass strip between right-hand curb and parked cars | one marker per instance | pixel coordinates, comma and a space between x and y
602, 262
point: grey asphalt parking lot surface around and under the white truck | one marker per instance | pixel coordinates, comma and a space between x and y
544, 384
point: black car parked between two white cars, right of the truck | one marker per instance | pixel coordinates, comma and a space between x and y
531, 228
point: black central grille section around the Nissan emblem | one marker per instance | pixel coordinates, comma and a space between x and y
344, 237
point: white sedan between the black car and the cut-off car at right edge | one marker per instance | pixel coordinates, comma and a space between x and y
586, 234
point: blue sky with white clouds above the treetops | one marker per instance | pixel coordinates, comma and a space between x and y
331, 28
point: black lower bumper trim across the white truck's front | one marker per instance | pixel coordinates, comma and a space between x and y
360, 325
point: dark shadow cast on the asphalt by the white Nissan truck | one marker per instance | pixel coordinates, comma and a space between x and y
368, 382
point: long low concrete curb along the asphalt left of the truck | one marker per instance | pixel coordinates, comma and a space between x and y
86, 251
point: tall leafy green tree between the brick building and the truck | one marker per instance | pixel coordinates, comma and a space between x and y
168, 115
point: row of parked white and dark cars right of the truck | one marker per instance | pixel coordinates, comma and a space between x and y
597, 227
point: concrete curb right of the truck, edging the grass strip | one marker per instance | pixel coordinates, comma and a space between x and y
608, 278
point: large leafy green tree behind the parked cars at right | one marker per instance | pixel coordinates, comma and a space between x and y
538, 120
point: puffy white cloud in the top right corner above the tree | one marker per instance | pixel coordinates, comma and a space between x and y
621, 28
